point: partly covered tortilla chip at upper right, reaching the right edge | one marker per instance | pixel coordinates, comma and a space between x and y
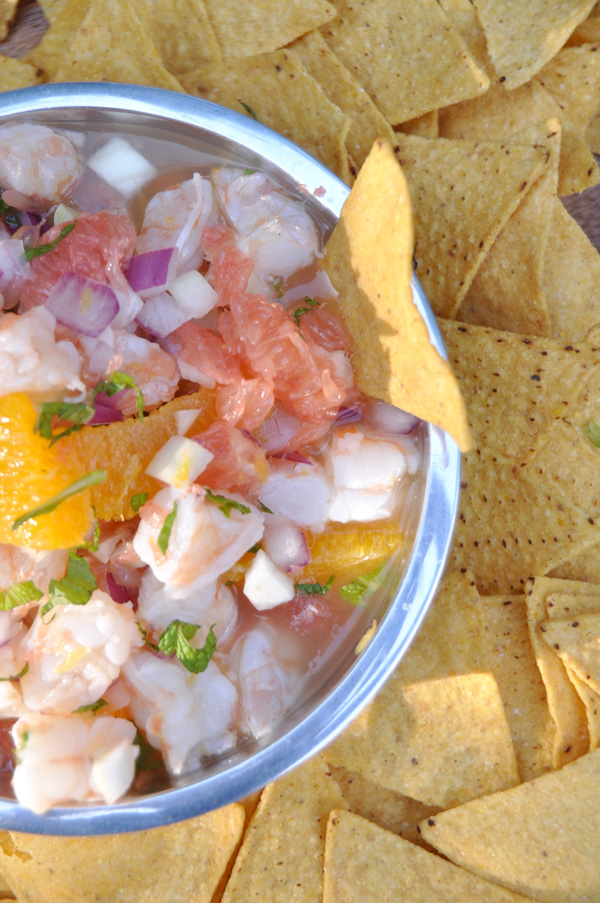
501, 113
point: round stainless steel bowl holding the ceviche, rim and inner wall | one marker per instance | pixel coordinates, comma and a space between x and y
400, 606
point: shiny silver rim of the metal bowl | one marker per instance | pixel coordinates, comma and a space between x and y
433, 534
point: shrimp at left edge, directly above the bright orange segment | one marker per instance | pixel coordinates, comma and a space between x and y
32, 361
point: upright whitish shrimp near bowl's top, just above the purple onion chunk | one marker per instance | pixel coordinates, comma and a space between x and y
175, 219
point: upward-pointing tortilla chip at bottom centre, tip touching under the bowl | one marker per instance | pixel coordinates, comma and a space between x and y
281, 858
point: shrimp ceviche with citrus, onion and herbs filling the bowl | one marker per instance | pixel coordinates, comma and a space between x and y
195, 498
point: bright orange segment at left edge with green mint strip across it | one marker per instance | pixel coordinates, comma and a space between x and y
31, 472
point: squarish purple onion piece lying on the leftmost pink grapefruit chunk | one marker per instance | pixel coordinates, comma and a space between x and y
82, 304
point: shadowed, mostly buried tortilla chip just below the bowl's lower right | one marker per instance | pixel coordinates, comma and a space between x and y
386, 808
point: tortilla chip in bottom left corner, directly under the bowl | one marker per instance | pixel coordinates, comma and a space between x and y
122, 868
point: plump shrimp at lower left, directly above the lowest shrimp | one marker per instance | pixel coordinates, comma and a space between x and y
74, 656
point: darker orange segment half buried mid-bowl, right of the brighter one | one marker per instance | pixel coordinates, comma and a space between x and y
125, 449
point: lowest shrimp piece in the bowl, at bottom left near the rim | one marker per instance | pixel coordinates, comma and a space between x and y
72, 757
